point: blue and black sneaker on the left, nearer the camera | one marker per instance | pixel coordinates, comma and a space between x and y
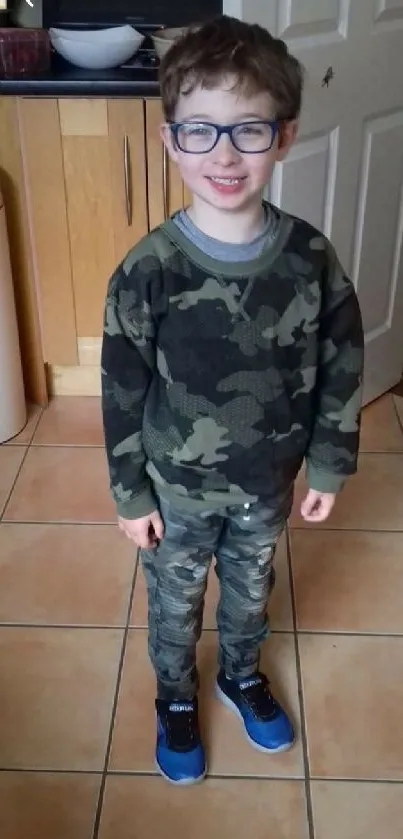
179, 755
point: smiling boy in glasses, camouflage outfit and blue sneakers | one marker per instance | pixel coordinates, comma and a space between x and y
232, 351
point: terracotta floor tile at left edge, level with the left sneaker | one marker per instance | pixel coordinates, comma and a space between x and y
57, 690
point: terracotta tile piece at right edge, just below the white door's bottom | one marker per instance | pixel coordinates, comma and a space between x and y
380, 429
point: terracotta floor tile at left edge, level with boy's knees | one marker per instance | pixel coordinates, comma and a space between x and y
64, 574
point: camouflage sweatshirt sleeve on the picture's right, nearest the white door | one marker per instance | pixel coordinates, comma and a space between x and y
333, 449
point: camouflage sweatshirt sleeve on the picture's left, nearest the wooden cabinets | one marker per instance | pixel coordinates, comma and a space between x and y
127, 366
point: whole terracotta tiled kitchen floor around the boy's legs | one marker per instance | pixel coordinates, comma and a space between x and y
76, 689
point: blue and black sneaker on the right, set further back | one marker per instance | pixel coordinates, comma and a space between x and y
266, 724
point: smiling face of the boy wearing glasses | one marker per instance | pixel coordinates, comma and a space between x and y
242, 176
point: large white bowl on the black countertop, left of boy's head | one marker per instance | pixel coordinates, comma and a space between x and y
97, 49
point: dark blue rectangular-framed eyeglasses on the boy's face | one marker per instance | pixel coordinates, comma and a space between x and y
253, 137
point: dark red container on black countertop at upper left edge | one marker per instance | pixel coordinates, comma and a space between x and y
23, 52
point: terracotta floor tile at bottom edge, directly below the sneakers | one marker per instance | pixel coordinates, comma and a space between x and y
143, 808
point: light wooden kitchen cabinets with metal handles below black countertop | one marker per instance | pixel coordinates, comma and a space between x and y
86, 178
